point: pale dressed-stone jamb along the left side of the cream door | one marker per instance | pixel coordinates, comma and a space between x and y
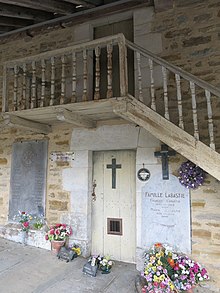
78, 181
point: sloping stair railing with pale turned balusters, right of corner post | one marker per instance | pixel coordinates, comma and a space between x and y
177, 94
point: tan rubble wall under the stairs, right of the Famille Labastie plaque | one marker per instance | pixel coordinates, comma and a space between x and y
205, 202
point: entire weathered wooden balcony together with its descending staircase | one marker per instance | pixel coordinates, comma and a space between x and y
176, 107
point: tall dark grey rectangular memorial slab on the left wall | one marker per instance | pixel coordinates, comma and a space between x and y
28, 177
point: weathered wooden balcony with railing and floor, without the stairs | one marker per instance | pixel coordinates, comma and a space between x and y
74, 85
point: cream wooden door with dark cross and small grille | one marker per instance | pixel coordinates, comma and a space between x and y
114, 207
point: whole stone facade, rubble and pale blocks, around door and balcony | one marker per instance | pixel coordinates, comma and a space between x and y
186, 34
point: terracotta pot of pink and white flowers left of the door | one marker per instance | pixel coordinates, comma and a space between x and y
57, 235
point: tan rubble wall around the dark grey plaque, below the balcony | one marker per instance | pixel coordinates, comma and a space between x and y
58, 200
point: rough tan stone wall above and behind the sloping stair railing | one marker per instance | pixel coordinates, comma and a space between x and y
190, 39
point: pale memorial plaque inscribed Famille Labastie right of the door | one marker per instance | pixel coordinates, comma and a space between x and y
166, 213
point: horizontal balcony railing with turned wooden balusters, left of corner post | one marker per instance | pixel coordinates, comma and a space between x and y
65, 75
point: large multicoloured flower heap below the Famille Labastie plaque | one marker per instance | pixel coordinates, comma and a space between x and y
167, 271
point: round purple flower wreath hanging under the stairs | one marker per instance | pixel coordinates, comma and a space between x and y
190, 175
